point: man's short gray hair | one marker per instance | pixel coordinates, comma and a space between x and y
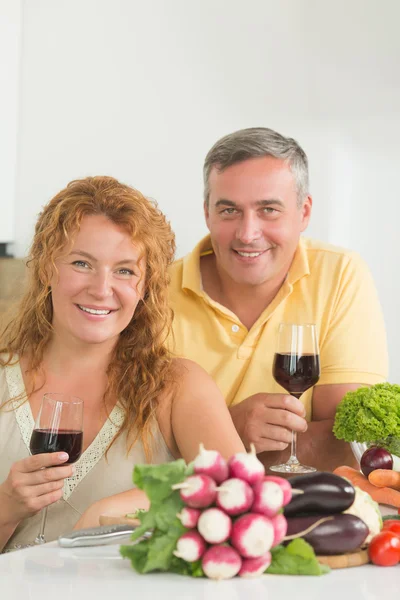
256, 142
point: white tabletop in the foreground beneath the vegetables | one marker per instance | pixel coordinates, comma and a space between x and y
99, 572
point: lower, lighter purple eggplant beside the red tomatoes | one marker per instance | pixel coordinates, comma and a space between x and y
342, 533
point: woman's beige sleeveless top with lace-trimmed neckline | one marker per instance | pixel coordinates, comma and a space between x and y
95, 475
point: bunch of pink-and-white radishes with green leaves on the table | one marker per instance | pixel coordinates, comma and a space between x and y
216, 519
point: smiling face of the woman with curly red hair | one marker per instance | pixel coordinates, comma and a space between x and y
99, 283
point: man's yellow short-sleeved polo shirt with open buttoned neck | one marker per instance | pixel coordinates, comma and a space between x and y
329, 286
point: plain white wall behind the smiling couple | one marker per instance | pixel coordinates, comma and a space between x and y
141, 90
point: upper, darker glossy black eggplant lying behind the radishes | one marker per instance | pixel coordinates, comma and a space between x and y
324, 494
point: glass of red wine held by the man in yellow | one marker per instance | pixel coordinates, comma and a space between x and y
296, 368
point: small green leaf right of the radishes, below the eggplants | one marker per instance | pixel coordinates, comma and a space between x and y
297, 558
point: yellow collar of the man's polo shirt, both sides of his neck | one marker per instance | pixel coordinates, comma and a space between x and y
191, 277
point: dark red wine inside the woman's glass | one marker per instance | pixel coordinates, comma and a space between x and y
61, 440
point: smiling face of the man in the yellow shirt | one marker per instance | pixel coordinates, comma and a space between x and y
255, 220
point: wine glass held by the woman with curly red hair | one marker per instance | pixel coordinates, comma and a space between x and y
58, 428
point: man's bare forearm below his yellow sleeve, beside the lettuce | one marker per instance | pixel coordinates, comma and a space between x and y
318, 446
